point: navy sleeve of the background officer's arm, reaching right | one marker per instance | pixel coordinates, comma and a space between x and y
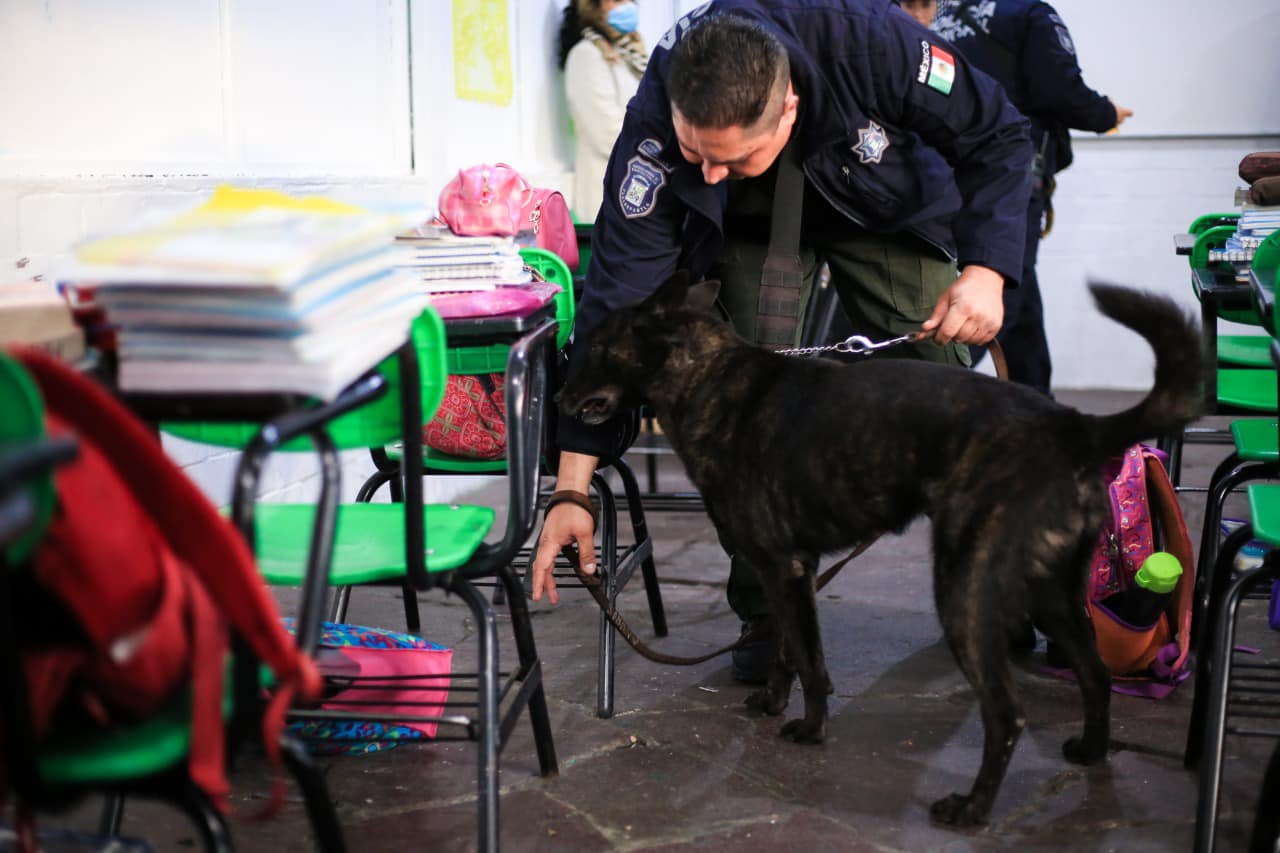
1055, 86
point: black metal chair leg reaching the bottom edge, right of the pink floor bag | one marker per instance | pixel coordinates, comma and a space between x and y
487, 703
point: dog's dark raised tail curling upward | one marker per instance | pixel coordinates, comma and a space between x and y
1177, 396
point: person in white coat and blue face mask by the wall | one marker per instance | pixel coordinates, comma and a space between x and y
604, 60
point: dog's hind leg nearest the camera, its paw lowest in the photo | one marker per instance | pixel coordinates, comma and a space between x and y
971, 609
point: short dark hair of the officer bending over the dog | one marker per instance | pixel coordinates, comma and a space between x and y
726, 72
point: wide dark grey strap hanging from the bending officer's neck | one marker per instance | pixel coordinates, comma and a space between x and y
778, 313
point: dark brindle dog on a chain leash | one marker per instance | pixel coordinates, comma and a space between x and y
799, 458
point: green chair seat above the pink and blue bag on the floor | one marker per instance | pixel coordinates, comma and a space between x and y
369, 545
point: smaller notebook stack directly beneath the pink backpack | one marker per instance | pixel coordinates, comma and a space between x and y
446, 263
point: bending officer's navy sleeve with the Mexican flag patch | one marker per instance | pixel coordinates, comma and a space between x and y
926, 86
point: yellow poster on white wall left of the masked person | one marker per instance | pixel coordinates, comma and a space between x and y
482, 52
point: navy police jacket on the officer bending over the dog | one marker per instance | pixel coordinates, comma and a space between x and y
894, 131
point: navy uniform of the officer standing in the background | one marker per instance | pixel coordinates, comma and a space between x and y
1026, 47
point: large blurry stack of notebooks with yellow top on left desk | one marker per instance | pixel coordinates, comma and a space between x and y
255, 291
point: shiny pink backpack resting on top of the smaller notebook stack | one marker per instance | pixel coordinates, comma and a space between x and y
496, 200
